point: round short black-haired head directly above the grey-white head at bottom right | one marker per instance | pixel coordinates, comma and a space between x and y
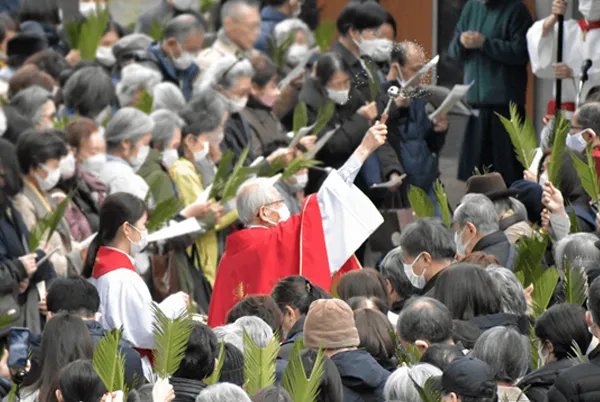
425, 318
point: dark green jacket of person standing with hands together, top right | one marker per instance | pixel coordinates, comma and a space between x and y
499, 69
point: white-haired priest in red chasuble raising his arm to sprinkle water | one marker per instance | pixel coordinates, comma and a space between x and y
316, 243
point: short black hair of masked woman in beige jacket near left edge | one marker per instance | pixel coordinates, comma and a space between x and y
36, 147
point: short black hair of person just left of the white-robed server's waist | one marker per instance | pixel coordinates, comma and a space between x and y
73, 295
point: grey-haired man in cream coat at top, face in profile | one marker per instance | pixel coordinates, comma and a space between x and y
241, 28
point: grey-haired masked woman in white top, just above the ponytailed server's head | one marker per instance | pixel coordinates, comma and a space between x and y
128, 136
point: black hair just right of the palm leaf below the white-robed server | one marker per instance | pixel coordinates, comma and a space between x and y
200, 354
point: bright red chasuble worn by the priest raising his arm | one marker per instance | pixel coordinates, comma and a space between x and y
257, 258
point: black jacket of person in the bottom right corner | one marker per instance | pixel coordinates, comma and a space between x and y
579, 383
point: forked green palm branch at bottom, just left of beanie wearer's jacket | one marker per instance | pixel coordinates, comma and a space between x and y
295, 381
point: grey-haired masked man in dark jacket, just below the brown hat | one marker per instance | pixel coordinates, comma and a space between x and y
477, 229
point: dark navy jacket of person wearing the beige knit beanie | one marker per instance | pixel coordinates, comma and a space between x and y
362, 377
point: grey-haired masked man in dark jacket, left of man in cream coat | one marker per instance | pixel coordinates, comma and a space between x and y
176, 54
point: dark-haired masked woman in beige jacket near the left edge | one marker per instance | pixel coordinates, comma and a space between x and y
39, 154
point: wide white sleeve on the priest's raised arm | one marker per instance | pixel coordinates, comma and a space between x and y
349, 217
